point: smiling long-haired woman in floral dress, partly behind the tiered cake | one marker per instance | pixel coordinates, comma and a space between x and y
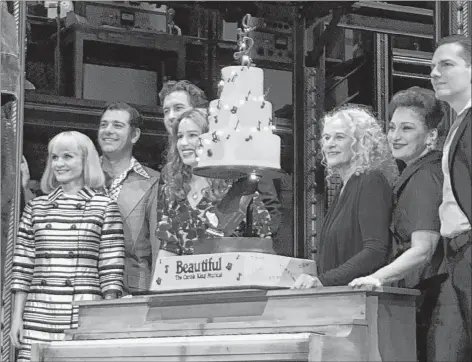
193, 207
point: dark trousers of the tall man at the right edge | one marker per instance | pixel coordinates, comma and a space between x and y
450, 335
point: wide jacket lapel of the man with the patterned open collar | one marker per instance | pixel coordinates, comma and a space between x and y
133, 190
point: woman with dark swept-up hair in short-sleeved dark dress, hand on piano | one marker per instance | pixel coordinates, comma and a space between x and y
417, 251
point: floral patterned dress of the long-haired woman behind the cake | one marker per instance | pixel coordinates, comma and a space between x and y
180, 225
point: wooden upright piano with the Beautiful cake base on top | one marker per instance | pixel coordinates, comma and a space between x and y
327, 324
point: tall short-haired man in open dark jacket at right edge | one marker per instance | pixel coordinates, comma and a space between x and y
451, 332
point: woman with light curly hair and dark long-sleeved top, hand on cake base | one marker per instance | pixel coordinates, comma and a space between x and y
354, 238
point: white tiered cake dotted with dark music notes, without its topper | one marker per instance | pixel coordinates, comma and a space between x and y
240, 123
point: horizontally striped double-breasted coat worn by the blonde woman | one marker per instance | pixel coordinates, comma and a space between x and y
69, 248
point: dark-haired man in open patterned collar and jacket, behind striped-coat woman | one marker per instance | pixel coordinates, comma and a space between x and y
135, 188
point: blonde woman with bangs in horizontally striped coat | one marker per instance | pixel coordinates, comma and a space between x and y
69, 247
